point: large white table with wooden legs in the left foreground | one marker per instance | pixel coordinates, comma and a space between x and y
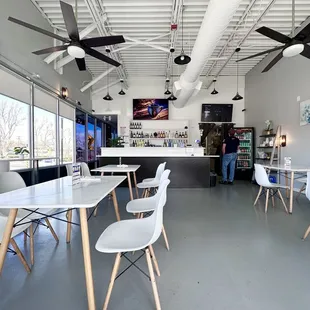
60, 193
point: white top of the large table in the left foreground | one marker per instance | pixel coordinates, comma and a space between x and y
60, 193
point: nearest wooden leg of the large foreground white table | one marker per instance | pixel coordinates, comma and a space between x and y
87, 260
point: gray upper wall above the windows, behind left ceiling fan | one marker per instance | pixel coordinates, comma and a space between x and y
17, 44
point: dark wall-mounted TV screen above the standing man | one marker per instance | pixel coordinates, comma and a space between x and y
216, 112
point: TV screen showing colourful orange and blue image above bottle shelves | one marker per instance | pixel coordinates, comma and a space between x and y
150, 109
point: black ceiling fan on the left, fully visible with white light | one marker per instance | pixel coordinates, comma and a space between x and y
75, 47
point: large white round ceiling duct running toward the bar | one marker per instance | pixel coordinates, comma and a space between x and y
217, 17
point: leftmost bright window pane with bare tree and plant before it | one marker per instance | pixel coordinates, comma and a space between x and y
14, 129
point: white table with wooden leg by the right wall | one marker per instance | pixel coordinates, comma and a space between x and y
292, 170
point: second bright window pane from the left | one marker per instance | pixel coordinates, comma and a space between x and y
44, 136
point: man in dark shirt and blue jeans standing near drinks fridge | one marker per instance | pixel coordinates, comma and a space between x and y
229, 149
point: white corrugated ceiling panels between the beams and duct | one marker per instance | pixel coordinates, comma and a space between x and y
147, 19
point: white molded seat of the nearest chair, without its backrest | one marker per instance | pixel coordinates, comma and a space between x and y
125, 236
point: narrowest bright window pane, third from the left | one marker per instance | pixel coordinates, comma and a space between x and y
66, 140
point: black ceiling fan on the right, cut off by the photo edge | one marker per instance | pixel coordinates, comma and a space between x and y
291, 46
